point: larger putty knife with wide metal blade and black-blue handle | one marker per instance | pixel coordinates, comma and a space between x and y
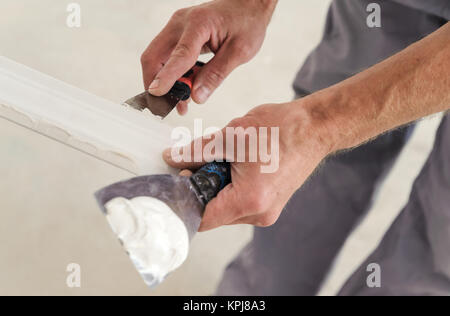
186, 196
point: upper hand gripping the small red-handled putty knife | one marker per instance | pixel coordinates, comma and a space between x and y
233, 30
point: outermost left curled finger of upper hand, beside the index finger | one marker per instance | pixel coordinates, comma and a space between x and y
157, 54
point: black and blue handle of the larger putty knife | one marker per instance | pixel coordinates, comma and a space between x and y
210, 179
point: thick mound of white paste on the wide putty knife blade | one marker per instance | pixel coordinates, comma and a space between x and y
155, 238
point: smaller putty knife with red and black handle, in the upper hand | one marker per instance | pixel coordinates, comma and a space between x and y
161, 106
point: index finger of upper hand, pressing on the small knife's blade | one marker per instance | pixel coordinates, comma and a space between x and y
182, 59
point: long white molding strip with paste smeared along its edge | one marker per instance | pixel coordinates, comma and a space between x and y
121, 136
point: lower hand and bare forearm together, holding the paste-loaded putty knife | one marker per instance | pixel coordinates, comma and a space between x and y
410, 85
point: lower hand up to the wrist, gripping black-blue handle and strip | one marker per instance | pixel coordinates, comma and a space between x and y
254, 197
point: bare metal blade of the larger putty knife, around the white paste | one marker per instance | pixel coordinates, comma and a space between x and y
175, 191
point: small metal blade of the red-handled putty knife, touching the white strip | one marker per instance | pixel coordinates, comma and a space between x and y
159, 106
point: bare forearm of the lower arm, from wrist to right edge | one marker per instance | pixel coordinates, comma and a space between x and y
408, 86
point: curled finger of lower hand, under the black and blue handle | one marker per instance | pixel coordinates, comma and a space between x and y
223, 209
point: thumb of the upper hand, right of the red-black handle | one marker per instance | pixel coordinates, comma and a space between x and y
215, 71
